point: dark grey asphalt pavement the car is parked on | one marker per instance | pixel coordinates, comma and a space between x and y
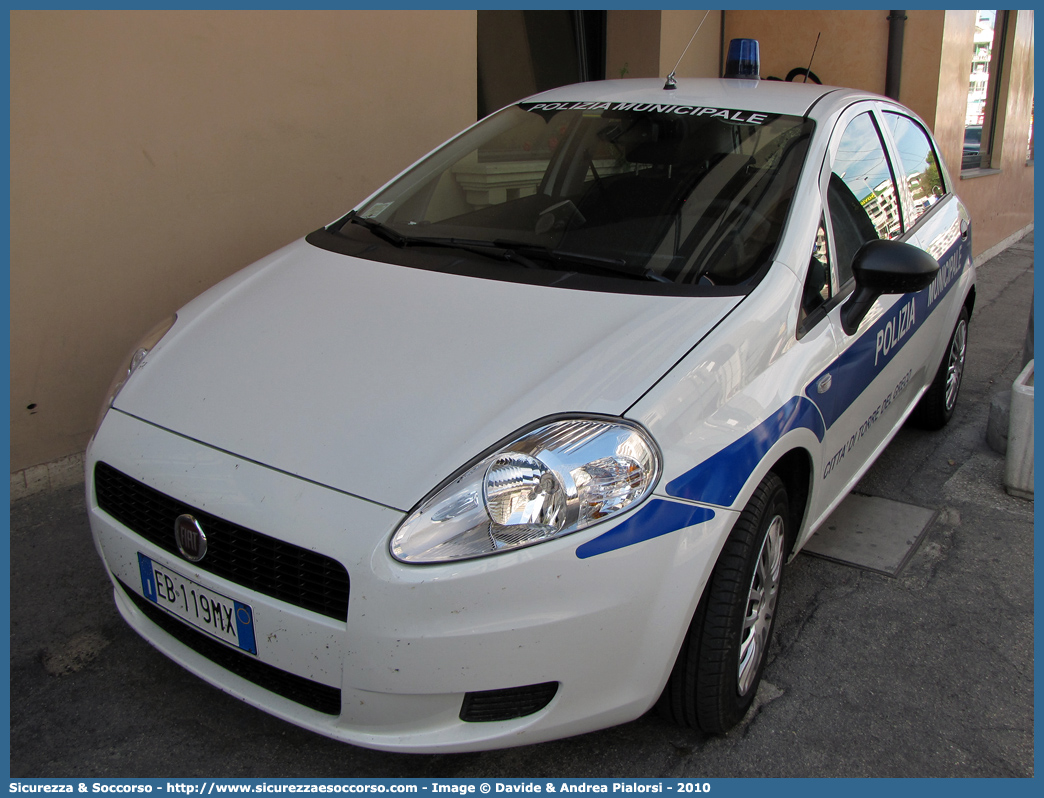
930, 673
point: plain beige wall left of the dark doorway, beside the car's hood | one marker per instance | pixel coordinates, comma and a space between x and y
155, 153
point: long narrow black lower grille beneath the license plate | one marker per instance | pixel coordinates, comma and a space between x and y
298, 689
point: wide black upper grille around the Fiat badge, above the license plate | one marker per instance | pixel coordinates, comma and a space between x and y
255, 561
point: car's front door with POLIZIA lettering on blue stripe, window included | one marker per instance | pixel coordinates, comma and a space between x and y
883, 367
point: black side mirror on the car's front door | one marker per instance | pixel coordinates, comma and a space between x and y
884, 267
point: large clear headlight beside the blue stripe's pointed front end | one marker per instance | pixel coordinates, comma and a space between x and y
554, 479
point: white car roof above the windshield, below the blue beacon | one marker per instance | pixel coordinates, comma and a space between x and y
766, 97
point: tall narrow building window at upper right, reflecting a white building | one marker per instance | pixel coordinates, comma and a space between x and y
984, 95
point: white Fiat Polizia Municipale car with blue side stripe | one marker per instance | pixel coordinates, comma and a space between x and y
521, 445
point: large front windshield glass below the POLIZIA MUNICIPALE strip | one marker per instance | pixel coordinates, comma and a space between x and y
670, 194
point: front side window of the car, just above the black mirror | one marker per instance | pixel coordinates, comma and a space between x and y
862, 194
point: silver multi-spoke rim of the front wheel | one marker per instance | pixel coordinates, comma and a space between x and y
761, 606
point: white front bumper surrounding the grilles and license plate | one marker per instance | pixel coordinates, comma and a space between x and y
418, 640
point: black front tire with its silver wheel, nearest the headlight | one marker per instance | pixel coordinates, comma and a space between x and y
723, 656
